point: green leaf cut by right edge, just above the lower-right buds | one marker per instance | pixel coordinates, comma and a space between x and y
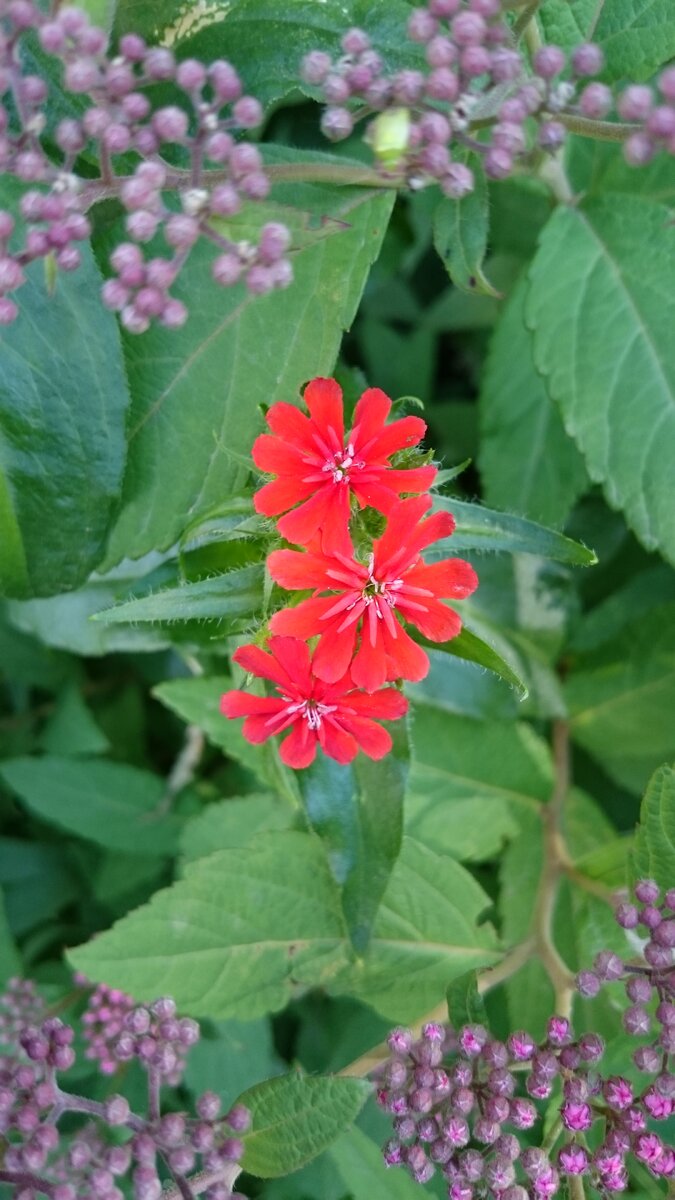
654, 855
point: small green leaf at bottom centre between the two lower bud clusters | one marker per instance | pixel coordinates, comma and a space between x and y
296, 1118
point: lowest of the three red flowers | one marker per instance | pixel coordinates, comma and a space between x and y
334, 717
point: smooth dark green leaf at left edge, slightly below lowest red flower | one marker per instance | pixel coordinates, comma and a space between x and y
109, 803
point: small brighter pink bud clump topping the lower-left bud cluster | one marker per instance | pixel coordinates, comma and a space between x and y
117, 1031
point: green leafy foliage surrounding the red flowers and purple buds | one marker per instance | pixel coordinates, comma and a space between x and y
300, 916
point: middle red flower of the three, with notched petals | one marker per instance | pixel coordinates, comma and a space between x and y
396, 580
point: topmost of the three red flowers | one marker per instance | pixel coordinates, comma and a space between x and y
318, 469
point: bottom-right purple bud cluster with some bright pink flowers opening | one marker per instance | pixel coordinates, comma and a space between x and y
463, 1103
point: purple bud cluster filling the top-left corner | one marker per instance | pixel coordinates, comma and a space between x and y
224, 173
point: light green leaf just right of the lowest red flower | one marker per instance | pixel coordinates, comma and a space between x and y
473, 784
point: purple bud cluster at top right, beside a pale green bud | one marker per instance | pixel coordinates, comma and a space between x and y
473, 79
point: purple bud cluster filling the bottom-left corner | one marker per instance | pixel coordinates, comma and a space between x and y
39, 1160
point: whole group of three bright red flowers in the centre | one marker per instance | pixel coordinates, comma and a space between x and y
334, 697
